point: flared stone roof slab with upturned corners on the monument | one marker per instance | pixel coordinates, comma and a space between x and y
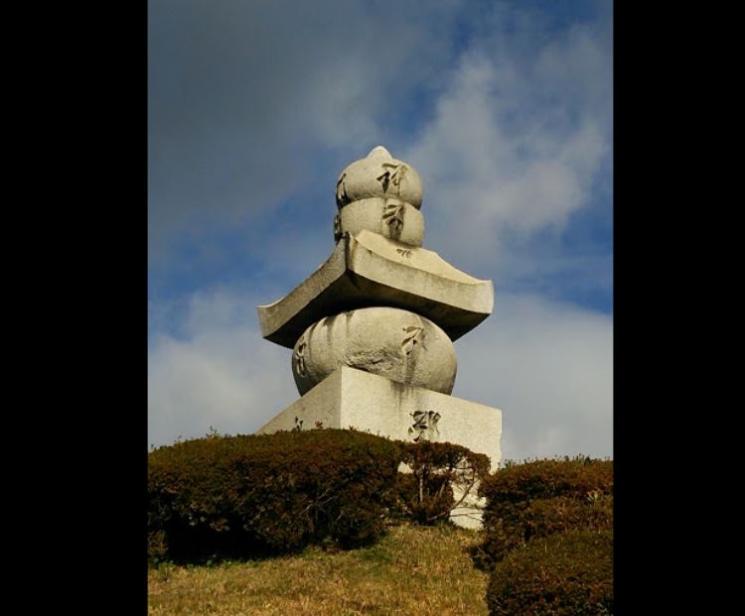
367, 269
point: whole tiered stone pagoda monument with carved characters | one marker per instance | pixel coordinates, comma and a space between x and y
372, 329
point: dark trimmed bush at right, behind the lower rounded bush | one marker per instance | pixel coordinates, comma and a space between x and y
541, 498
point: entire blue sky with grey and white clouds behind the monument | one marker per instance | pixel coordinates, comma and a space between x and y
505, 110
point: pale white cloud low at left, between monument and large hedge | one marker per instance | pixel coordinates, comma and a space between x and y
216, 372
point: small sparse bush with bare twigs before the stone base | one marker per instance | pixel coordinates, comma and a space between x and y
426, 495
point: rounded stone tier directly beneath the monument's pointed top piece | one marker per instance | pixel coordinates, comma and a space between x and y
392, 218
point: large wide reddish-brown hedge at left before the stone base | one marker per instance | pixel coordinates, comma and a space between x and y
243, 496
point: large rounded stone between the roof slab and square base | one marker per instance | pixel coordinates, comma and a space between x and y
397, 344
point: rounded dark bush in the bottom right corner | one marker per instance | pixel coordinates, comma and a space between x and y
566, 574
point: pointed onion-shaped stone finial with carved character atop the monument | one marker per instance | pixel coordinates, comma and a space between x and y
379, 175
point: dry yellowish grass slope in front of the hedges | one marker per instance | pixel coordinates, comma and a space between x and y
413, 570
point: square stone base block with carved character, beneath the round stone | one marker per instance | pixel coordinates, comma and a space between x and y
351, 398
